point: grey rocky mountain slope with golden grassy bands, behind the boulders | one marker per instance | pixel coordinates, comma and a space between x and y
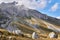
18, 17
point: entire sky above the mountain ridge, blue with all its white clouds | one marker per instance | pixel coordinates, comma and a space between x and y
48, 7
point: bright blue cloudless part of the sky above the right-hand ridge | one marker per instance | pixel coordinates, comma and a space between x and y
47, 10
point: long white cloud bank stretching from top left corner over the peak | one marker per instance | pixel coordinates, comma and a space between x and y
33, 4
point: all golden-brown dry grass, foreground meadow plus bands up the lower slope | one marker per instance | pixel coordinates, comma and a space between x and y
28, 31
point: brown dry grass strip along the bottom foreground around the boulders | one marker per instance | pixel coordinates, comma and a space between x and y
14, 37
